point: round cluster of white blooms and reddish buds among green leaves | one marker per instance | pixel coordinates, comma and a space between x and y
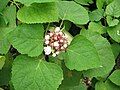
55, 42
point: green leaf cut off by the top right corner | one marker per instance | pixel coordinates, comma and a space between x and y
113, 9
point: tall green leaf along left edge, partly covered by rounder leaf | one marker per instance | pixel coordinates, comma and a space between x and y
9, 17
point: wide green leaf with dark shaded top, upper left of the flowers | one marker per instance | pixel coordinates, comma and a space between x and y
38, 13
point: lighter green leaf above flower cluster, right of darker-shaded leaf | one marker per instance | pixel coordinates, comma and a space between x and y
69, 10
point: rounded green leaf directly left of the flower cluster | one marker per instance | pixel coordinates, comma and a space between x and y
28, 39
